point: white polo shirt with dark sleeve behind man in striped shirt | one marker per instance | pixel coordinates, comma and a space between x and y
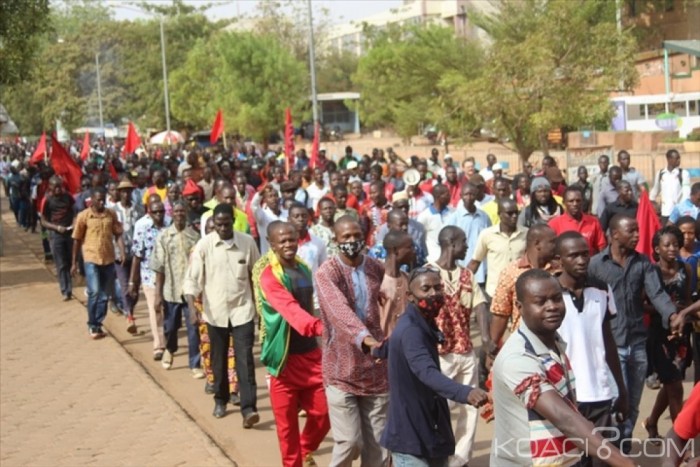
583, 333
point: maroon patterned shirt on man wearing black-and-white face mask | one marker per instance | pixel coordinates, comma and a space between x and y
345, 365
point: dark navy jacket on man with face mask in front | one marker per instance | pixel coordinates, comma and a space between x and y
418, 421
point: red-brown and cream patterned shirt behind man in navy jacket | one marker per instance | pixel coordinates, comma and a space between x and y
462, 294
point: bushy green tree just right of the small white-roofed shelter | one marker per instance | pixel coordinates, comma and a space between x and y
404, 77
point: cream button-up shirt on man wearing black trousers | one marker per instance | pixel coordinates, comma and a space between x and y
223, 274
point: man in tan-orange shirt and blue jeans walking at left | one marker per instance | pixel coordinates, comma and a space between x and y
94, 232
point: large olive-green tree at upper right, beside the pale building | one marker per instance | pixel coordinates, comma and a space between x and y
551, 64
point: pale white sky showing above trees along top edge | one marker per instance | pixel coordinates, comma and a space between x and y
340, 11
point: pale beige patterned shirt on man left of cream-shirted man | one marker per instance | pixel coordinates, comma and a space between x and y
170, 257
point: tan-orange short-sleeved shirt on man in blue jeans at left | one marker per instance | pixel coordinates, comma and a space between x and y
97, 231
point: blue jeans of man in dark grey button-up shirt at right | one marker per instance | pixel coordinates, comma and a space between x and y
633, 360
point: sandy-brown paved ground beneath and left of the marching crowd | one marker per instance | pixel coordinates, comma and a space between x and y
68, 400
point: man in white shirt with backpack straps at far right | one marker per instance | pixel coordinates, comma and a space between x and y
672, 183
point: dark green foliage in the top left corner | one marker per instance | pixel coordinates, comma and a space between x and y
22, 25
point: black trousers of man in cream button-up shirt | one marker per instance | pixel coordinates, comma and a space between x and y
243, 339
